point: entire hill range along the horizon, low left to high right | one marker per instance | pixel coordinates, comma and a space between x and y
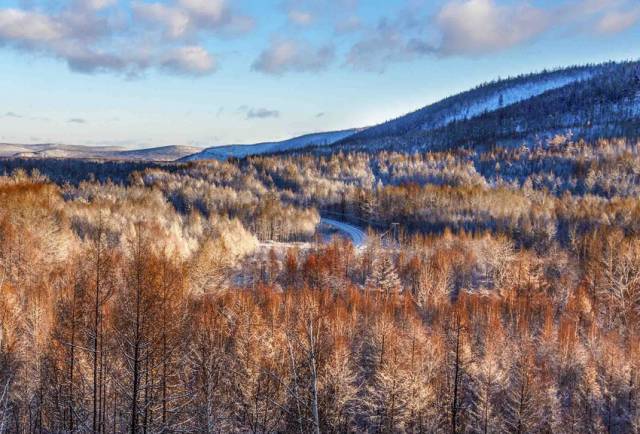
578, 102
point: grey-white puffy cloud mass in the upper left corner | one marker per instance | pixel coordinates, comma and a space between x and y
94, 36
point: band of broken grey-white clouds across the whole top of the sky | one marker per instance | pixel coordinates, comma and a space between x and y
131, 37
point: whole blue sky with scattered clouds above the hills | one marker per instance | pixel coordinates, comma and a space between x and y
141, 73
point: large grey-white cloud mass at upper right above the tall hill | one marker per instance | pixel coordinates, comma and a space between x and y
479, 27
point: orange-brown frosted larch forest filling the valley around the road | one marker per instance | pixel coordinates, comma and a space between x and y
498, 291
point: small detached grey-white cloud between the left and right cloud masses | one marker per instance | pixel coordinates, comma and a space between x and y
288, 55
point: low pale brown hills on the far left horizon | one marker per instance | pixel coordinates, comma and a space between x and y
51, 150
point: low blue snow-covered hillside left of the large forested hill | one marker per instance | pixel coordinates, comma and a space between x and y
240, 151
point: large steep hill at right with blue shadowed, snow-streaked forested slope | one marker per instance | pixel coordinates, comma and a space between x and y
589, 102
